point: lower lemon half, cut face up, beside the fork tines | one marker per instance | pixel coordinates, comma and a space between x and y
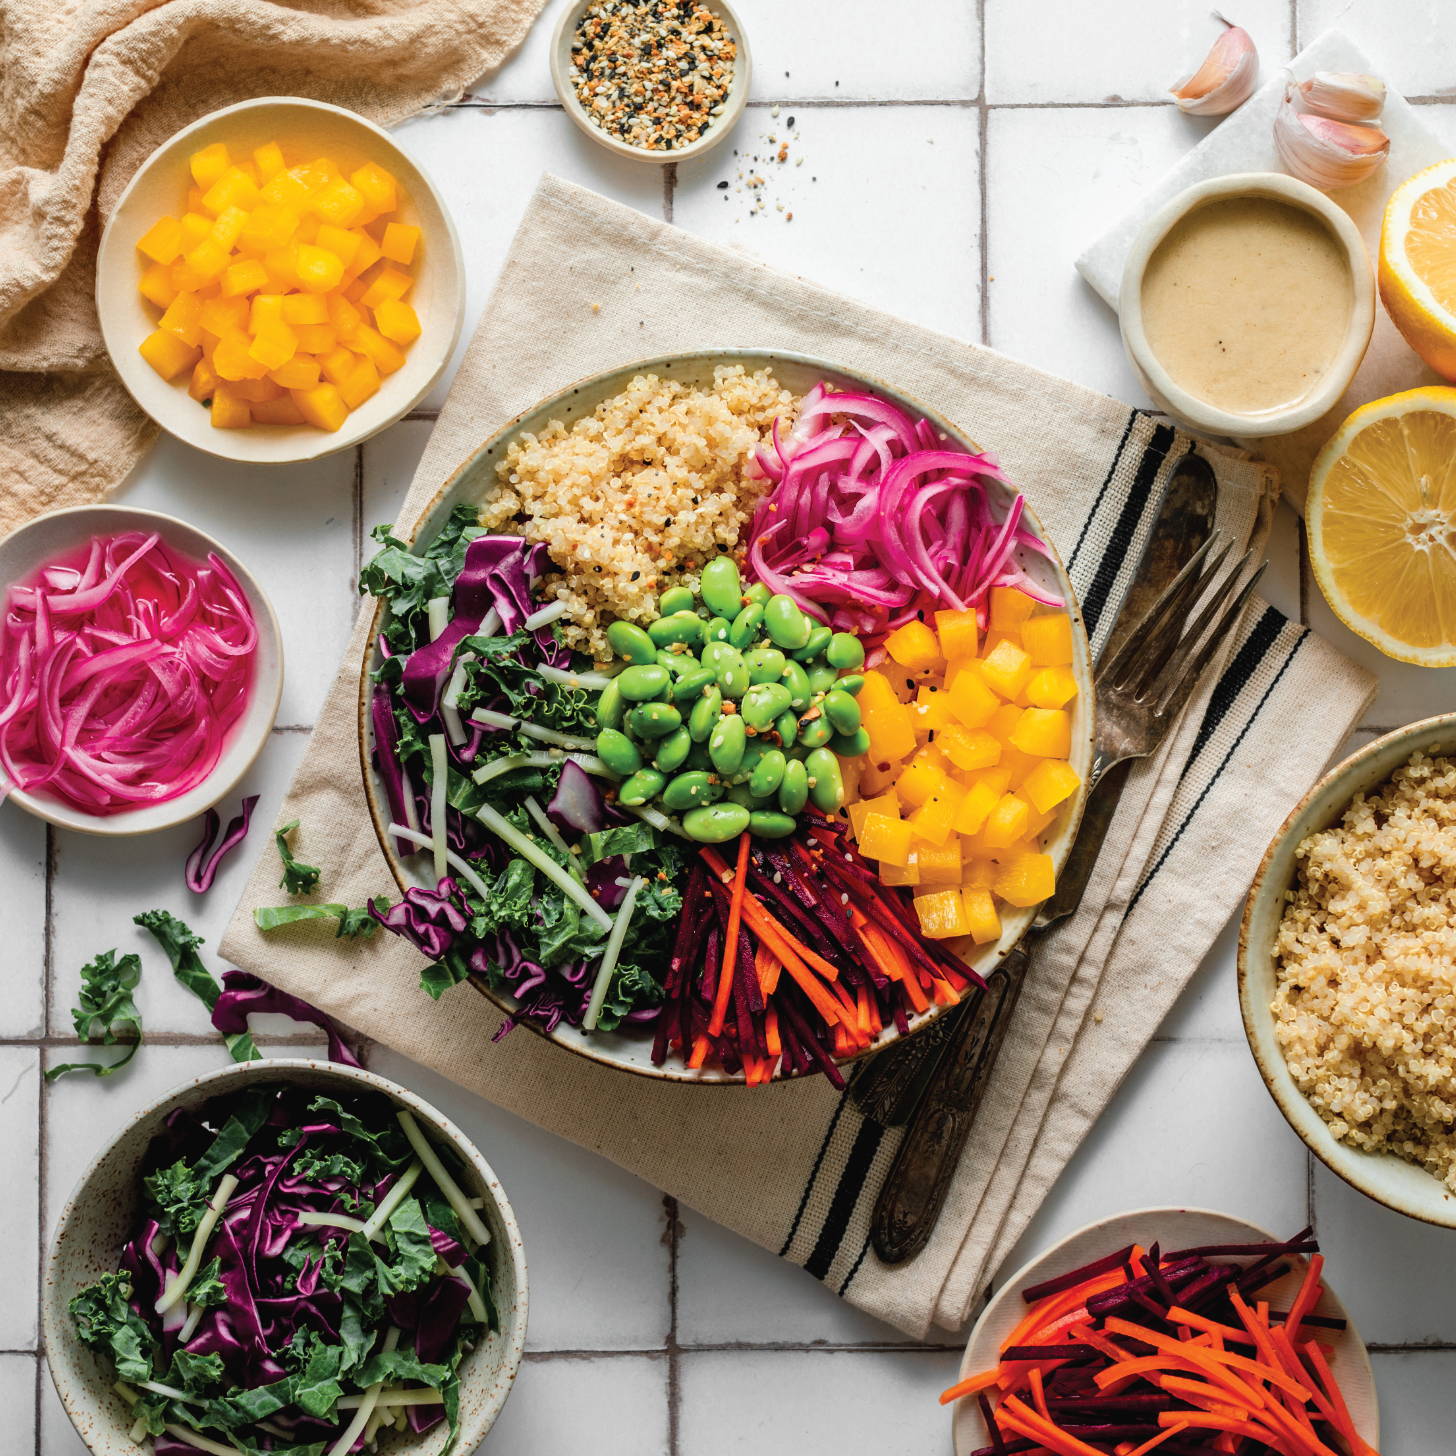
1382, 525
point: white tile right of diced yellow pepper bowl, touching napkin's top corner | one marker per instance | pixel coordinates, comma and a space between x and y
487, 165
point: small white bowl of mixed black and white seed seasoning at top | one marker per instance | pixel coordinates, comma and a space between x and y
662, 81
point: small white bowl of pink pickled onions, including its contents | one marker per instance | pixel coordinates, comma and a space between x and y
141, 670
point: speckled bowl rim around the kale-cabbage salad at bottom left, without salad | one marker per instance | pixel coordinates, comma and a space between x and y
58, 1333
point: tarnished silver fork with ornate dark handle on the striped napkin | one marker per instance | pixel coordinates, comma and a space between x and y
1141, 692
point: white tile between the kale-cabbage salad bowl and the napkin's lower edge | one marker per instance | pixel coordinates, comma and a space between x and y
595, 1235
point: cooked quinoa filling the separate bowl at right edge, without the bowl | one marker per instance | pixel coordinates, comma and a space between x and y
1366, 970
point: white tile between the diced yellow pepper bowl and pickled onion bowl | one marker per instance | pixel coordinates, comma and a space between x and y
293, 528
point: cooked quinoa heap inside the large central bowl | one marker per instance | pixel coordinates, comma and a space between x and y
638, 494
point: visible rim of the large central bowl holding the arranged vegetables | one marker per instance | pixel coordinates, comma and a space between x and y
761, 359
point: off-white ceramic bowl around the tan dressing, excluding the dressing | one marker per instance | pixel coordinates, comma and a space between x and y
1358, 336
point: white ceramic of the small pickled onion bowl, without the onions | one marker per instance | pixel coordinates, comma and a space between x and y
62, 535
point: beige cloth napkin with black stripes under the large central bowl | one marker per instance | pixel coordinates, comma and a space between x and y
590, 286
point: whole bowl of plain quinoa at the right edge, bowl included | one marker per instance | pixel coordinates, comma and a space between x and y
1348, 970
